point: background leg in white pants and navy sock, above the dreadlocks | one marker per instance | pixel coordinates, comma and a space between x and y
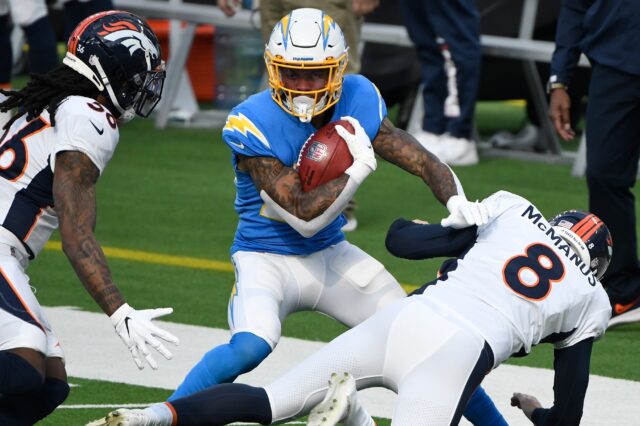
32, 16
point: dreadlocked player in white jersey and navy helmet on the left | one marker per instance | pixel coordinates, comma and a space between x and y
52, 152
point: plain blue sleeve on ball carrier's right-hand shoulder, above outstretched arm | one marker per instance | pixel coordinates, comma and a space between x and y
366, 103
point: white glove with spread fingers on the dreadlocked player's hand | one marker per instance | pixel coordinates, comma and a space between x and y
136, 331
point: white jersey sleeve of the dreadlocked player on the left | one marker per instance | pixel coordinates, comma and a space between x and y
83, 125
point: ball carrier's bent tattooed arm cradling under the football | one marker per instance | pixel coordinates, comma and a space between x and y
283, 185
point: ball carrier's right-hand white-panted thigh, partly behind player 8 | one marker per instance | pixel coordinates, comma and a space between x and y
355, 286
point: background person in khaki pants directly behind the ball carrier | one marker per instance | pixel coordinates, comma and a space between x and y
349, 16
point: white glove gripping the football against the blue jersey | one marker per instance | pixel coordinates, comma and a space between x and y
364, 159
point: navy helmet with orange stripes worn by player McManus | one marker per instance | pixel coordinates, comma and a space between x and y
588, 236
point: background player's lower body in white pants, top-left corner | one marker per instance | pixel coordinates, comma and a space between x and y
32, 17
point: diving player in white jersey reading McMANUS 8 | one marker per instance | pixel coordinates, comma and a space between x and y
517, 281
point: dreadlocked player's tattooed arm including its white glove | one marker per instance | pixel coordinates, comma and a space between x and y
74, 197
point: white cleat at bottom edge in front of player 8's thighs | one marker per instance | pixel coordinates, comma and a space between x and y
340, 405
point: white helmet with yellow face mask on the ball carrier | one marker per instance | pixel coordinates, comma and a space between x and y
306, 39
